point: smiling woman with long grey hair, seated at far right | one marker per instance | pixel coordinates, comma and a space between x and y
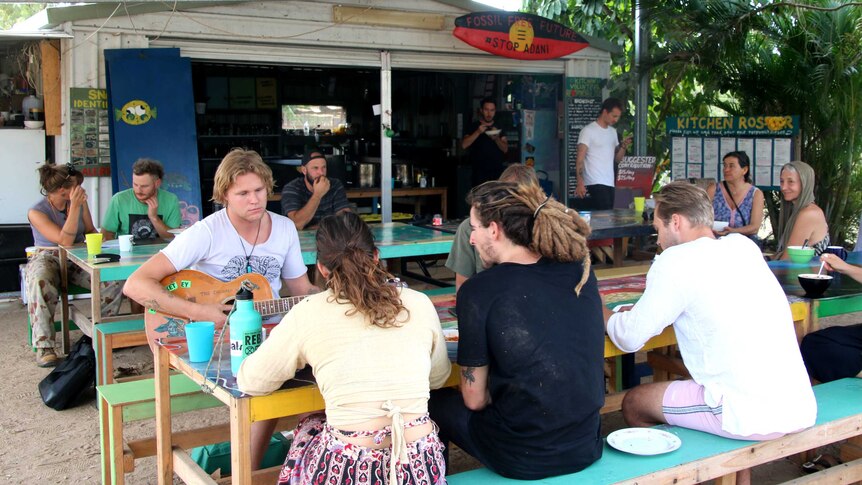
800, 220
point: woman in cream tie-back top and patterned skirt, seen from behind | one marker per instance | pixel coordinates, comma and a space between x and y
376, 350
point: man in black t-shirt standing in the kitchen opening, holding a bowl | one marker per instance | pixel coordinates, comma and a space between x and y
487, 145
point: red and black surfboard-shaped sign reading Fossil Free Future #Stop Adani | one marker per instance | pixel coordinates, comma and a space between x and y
518, 35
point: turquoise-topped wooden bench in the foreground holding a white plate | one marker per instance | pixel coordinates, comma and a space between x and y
705, 457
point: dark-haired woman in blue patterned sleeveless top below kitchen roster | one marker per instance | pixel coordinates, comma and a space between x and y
736, 200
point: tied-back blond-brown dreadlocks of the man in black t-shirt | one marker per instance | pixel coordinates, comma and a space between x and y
533, 220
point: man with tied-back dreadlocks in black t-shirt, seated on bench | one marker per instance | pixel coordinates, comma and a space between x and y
531, 340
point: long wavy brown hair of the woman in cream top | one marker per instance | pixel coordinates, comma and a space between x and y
346, 248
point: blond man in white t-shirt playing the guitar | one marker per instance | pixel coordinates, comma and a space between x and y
241, 238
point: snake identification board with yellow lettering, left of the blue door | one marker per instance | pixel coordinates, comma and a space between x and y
89, 140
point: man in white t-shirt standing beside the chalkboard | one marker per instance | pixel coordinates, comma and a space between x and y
599, 150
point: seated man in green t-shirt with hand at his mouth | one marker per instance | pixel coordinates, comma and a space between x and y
144, 211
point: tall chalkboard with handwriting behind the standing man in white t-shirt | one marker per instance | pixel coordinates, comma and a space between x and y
583, 98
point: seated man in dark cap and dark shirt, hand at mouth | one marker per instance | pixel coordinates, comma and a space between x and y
313, 196
